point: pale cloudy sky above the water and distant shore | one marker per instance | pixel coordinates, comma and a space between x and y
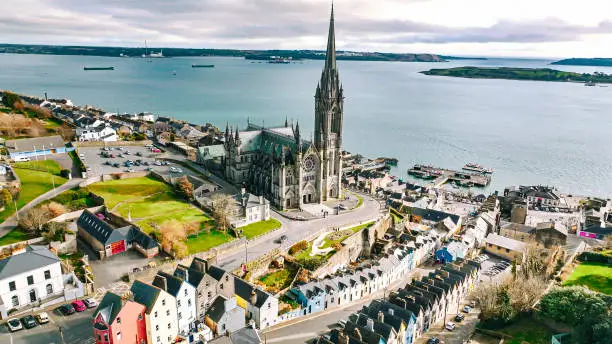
519, 28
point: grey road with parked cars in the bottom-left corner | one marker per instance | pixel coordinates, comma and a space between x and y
76, 329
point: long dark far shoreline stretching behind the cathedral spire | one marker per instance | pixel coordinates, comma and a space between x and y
295, 55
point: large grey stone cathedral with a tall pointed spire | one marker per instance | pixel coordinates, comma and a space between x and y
279, 164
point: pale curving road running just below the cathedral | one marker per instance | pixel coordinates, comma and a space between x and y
298, 230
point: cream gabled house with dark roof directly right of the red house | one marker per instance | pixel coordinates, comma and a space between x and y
160, 313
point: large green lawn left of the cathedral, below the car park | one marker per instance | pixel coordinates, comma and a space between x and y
151, 202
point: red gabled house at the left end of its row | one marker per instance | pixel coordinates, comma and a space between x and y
119, 321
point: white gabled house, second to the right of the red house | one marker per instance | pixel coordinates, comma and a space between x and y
184, 295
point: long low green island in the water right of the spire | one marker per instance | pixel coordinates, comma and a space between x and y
535, 74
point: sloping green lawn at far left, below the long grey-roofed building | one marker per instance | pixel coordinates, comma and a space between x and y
33, 184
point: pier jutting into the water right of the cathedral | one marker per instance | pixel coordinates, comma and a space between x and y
438, 176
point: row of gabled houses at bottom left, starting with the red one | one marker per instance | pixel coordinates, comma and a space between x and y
196, 302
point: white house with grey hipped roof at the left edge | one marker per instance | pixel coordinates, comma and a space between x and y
30, 275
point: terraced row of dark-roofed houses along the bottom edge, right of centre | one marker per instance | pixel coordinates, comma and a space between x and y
410, 311
